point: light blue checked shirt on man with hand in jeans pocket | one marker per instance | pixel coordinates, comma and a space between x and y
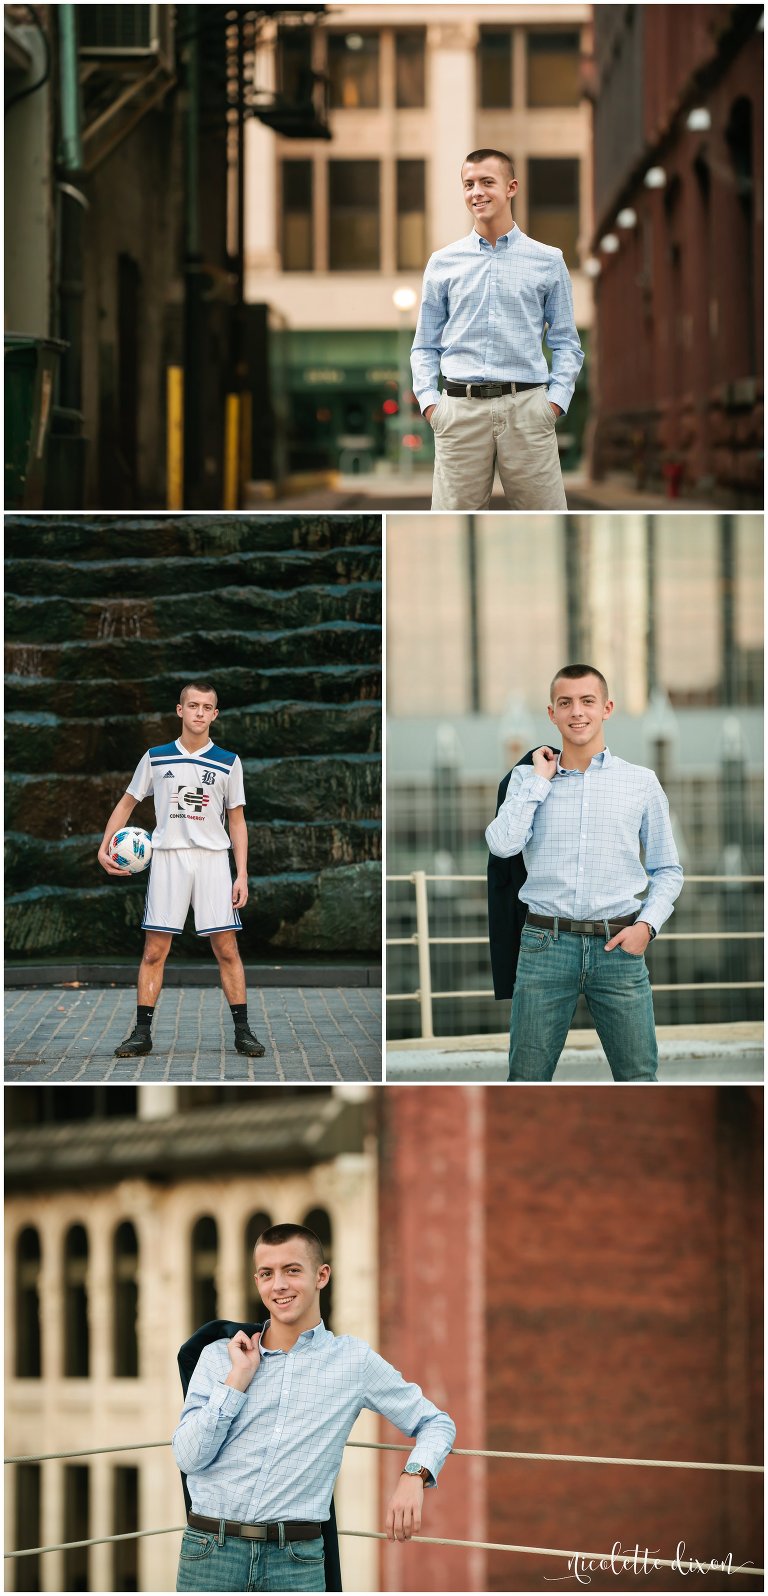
580, 837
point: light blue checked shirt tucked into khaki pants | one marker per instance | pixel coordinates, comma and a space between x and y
485, 312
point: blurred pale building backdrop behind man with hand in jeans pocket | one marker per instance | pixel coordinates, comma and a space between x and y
481, 614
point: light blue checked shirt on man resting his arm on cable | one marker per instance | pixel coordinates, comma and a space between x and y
274, 1452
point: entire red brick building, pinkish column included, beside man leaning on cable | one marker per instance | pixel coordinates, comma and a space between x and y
576, 1271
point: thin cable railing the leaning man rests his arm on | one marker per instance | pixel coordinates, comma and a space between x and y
600, 1558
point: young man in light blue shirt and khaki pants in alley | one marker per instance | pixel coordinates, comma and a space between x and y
486, 304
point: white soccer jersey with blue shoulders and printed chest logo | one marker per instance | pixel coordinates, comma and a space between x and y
192, 794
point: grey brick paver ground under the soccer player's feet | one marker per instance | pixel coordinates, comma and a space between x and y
312, 1033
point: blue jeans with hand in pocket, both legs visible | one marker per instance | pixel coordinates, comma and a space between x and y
553, 970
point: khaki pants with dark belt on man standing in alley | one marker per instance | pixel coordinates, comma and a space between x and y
515, 433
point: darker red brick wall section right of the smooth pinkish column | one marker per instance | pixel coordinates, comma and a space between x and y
622, 1313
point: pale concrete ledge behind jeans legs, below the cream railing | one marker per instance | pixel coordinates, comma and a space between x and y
687, 1054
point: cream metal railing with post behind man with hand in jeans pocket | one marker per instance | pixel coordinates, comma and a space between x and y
421, 939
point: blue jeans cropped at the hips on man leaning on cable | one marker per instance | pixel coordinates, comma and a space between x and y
208, 1563
